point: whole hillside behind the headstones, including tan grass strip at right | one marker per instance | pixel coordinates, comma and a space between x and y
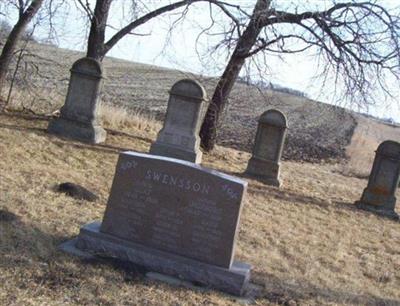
316, 132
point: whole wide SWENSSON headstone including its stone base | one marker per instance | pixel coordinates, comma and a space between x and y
173, 217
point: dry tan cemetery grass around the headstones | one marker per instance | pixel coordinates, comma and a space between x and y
307, 242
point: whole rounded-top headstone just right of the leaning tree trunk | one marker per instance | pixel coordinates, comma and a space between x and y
268, 146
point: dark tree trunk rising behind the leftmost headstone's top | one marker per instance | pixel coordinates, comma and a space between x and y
97, 30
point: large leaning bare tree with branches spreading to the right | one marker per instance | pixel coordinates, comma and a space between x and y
357, 41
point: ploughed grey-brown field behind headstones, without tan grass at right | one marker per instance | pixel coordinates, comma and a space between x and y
316, 130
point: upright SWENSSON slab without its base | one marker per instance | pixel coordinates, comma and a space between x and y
175, 206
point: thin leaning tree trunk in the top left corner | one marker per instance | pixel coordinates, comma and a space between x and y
12, 39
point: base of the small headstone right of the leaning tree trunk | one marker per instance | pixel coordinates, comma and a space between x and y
266, 171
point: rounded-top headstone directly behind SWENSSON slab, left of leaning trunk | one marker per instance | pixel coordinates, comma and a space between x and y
179, 138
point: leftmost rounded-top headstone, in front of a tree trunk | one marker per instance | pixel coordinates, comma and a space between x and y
78, 117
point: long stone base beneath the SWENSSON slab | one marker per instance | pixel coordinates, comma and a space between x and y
92, 242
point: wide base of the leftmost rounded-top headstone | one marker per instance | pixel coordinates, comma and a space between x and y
86, 132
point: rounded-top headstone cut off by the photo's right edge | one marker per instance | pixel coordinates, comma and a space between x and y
379, 196
